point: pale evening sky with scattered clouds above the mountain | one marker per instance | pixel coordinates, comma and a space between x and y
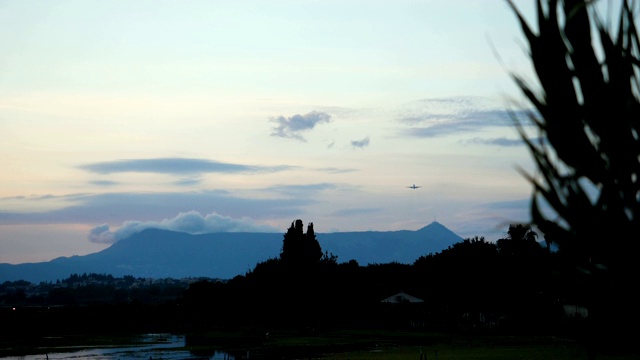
207, 116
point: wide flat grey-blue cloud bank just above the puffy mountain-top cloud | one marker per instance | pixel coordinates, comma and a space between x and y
117, 207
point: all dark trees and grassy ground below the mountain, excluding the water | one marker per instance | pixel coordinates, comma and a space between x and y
477, 295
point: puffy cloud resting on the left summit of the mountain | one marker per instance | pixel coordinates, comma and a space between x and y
191, 222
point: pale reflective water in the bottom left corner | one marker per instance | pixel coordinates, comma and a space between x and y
148, 347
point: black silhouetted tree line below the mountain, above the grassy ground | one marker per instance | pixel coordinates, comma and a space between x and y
510, 286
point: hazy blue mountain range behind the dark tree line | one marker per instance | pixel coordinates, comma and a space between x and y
155, 253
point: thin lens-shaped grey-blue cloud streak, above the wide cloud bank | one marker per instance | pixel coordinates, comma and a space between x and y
176, 166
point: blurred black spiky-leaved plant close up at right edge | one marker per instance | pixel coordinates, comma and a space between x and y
587, 114
